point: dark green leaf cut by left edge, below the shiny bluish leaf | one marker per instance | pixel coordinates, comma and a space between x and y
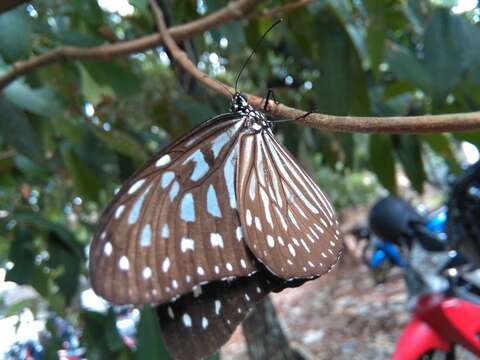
20, 133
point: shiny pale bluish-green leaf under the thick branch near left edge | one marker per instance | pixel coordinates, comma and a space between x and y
41, 101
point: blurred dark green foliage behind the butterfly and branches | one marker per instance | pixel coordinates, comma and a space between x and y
71, 132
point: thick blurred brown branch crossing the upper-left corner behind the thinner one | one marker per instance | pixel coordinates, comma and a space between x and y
233, 11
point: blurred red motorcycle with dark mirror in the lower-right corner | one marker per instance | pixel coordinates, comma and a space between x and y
443, 286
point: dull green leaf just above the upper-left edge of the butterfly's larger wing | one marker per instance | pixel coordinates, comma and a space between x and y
121, 142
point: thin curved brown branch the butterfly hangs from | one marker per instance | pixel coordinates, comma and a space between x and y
395, 124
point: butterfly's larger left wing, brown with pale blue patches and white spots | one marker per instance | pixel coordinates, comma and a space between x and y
174, 224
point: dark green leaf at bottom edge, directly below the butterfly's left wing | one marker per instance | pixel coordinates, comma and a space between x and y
150, 345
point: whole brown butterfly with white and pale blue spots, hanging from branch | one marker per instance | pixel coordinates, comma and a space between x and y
209, 226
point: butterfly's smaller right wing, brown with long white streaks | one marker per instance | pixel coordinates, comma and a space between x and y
289, 224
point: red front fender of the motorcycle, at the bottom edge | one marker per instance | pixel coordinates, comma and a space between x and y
417, 339
